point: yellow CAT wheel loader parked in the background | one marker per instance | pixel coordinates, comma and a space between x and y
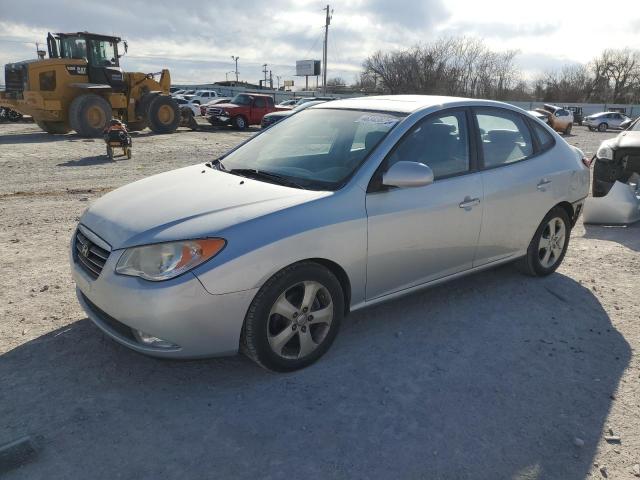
81, 87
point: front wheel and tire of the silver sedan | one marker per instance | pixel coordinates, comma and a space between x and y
294, 318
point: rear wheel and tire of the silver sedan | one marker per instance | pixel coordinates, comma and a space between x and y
548, 245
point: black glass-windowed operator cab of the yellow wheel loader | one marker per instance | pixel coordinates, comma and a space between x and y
99, 51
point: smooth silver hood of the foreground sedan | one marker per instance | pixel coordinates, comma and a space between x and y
191, 202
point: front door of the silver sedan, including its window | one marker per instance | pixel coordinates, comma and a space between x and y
419, 234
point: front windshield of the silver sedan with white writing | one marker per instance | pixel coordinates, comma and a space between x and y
317, 148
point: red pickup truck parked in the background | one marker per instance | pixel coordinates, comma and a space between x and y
242, 110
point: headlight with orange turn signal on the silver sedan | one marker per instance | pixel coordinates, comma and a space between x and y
162, 261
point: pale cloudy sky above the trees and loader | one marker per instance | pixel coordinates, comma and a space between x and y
196, 38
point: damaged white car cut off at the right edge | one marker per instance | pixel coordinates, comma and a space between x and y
616, 160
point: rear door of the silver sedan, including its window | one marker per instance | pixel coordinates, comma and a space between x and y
518, 171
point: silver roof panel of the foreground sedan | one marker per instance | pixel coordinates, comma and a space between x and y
406, 103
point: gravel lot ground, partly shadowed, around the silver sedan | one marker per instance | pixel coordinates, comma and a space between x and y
495, 376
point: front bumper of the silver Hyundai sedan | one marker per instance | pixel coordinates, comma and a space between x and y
180, 311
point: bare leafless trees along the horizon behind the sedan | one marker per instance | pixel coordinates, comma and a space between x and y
467, 67
